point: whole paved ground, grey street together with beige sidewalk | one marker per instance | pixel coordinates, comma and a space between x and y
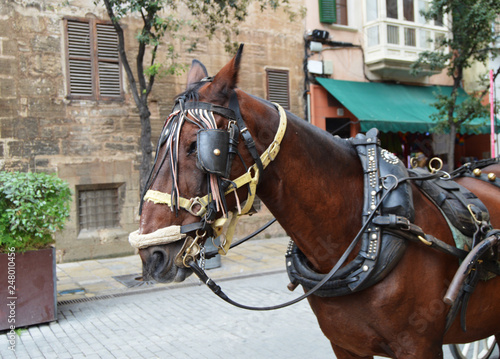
100, 317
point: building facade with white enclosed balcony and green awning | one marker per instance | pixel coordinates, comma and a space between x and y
358, 57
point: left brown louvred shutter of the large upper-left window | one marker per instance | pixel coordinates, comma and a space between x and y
80, 59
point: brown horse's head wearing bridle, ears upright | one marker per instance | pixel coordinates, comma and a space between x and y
191, 189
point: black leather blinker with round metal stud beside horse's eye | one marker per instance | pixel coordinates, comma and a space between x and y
212, 151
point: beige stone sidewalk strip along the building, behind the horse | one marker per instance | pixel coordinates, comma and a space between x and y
116, 276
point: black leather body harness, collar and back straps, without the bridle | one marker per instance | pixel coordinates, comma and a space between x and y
386, 236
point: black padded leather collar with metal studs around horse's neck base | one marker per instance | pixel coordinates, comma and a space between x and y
380, 251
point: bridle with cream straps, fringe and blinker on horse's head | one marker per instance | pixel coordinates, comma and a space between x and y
216, 149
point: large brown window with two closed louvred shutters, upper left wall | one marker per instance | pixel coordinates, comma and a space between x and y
93, 63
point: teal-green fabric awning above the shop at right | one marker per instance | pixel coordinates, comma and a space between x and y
393, 108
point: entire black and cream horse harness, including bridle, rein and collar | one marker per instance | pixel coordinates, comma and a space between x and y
387, 212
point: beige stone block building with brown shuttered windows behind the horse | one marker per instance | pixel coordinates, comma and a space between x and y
65, 105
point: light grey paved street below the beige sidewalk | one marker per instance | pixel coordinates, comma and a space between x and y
182, 322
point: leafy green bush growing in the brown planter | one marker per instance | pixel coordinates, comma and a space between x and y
32, 207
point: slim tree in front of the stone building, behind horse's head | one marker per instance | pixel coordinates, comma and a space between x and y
161, 26
